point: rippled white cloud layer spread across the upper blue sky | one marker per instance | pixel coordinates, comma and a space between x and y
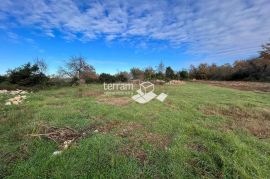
214, 28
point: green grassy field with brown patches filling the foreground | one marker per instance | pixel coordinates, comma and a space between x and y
200, 131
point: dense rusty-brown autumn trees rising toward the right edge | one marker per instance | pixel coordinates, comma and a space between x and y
256, 69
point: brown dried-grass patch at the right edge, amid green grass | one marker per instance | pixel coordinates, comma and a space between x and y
256, 122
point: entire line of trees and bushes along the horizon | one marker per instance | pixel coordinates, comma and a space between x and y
76, 71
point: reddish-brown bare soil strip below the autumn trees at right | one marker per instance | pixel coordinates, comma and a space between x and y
241, 85
